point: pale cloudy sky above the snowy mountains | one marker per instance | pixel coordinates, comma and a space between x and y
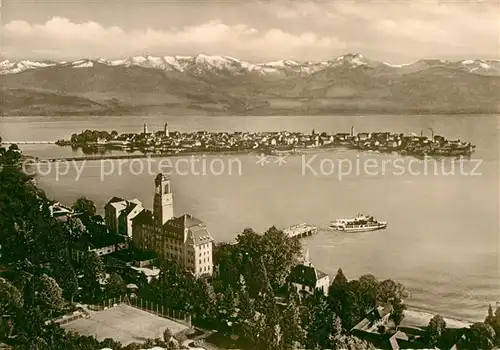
395, 31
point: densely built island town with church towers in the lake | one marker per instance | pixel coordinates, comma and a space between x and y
167, 142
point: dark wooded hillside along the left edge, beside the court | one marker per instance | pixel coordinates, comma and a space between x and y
39, 280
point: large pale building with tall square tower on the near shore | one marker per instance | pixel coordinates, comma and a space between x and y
184, 239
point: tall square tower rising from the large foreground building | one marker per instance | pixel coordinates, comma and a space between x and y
163, 204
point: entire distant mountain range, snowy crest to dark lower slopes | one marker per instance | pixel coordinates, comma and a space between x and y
225, 85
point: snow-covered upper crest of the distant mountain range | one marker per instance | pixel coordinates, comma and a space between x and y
202, 63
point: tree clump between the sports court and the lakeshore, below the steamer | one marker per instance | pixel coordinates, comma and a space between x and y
243, 296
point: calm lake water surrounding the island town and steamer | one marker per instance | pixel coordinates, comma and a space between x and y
442, 240
